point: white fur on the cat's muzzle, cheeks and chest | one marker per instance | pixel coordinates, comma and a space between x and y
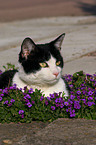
43, 79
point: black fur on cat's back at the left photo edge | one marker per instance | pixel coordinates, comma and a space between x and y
6, 78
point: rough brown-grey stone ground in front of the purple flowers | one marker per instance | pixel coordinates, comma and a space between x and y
62, 131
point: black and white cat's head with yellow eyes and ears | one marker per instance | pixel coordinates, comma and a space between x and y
41, 62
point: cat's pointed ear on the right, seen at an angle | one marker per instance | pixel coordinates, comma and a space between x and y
58, 41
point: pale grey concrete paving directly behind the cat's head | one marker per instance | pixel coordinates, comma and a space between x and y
80, 39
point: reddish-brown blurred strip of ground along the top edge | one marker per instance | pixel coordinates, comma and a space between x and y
11, 10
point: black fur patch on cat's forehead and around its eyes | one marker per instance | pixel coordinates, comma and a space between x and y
41, 54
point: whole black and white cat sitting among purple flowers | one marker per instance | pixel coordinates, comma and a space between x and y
40, 66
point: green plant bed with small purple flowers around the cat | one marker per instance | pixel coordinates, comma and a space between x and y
23, 105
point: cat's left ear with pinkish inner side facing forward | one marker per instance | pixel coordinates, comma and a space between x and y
27, 46
